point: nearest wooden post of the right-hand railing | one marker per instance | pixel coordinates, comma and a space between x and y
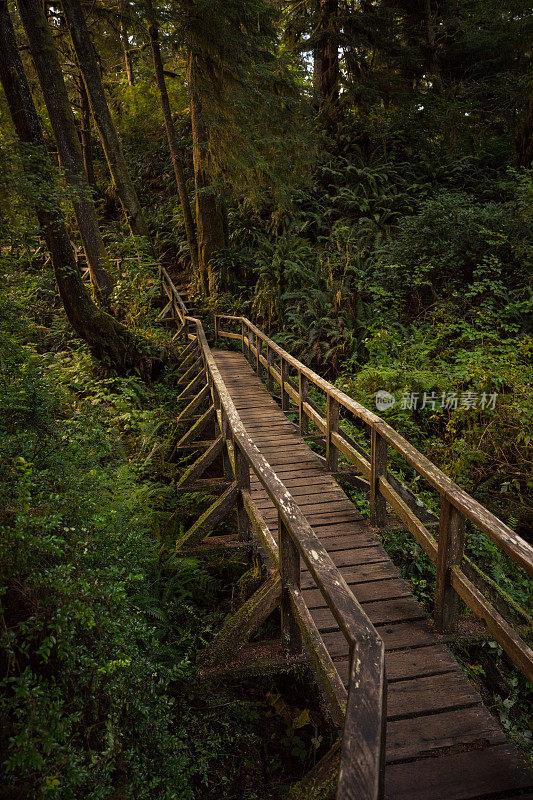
450, 553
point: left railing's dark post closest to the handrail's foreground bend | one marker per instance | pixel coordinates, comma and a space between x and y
289, 565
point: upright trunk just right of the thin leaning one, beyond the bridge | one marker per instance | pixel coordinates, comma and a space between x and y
209, 215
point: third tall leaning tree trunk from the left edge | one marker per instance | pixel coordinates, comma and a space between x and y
87, 60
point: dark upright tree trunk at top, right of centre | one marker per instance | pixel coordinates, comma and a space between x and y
326, 55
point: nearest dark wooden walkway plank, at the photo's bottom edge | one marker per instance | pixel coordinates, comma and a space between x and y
463, 776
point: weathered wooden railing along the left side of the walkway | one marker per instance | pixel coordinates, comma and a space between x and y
360, 712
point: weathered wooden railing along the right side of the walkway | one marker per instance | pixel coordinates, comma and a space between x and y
456, 505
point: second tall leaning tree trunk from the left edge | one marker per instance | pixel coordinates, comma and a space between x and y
63, 124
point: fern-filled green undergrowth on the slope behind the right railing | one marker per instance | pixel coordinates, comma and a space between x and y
435, 301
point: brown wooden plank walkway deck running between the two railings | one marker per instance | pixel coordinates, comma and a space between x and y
441, 741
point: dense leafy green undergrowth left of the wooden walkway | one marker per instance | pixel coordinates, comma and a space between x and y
101, 622
